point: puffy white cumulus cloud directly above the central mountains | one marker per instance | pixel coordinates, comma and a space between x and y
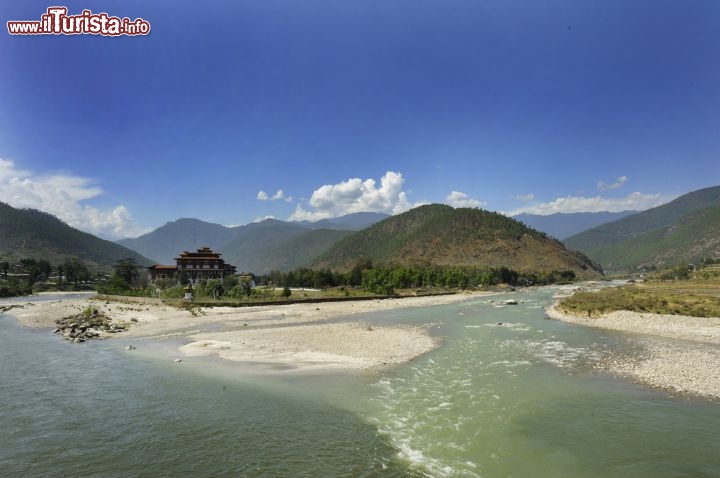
356, 195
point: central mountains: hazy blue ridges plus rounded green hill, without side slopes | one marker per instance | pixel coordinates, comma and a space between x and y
435, 234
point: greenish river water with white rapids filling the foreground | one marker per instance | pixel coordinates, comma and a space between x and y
508, 394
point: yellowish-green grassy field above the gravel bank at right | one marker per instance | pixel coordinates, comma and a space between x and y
695, 297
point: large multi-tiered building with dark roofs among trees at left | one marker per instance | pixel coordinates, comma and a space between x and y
201, 265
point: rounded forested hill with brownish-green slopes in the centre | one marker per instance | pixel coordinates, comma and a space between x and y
439, 234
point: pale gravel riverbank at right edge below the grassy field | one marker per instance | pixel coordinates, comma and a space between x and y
677, 353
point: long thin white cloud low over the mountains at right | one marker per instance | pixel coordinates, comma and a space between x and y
632, 202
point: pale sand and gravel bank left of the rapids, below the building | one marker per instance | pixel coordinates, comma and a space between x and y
295, 336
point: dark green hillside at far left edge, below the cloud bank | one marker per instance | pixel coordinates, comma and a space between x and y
34, 234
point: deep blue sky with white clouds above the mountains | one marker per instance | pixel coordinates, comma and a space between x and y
303, 109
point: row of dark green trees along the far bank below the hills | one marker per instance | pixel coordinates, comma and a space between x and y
128, 278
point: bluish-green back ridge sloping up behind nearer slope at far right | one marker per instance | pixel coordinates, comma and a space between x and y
589, 242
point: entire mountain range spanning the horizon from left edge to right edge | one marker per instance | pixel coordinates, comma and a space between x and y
684, 230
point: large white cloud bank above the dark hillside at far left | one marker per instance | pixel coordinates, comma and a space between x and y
62, 195
